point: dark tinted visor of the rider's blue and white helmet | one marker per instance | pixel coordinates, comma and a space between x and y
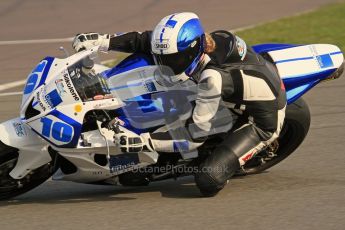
180, 61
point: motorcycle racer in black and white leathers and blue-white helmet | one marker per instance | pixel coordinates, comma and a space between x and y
228, 73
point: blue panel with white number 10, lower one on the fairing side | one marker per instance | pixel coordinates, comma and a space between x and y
58, 130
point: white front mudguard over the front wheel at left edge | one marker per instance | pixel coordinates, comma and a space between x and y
32, 150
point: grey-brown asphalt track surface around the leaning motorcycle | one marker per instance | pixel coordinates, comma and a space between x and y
306, 191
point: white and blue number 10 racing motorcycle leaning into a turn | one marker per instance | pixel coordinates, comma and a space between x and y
72, 107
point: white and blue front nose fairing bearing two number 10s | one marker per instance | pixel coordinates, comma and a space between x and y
51, 105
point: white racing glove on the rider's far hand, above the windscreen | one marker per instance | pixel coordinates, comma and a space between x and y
86, 41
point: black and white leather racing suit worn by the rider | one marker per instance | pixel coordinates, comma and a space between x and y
235, 77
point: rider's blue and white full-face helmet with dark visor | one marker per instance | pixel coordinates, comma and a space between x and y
178, 42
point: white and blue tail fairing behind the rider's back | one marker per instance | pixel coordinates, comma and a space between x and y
303, 66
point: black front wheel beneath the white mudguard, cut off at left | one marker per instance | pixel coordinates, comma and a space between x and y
10, 187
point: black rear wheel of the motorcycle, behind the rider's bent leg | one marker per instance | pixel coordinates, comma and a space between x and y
295, 129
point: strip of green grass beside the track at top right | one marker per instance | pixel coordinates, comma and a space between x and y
324, 25
